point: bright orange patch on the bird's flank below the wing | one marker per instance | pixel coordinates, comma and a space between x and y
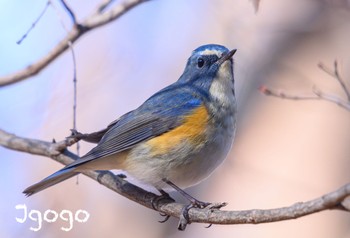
192, 130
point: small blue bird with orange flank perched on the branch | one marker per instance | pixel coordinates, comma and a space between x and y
176, 138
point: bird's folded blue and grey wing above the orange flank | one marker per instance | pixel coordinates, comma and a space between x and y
156, 116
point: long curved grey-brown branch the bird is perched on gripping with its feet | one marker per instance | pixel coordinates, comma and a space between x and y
338, 199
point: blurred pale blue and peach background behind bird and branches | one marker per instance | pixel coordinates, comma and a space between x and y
284, 152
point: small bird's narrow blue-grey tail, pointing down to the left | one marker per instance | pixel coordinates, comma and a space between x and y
51, 180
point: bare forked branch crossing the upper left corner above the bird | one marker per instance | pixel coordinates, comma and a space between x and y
94, 21
